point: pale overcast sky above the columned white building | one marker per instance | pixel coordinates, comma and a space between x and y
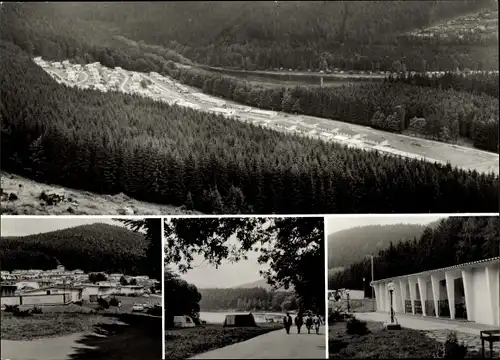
334, 224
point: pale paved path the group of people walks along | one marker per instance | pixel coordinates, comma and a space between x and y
274, 345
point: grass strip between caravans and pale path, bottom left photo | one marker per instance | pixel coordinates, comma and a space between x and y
49, 324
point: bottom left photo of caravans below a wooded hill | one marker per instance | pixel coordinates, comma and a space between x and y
81, 288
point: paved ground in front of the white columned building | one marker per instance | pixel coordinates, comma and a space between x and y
438, 329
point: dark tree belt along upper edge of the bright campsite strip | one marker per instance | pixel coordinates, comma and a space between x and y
444, 115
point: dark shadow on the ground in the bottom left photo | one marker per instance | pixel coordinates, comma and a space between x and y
140, 337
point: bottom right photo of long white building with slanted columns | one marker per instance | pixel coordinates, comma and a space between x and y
413, 286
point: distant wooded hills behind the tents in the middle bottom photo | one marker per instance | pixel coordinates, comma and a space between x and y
247, 299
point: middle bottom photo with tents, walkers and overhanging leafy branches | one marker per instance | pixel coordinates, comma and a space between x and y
245, 288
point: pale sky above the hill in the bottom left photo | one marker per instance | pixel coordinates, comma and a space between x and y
18, 226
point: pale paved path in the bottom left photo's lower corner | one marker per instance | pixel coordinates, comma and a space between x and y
59, 348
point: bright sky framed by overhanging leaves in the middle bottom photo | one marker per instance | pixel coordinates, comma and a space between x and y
227, 275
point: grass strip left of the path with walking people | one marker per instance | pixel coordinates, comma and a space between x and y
184, 343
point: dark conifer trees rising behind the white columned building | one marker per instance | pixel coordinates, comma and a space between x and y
454, 241
